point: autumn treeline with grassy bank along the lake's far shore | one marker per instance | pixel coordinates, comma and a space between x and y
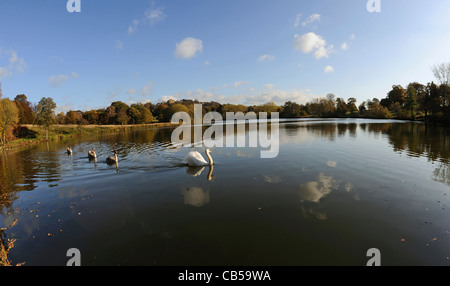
25, 121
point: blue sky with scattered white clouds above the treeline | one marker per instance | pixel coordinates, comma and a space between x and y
229, 51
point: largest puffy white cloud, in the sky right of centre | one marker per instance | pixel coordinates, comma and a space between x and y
310, 42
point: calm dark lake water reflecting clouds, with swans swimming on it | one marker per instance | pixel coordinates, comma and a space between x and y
337, 188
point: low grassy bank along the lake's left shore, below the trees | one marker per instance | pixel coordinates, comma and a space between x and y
31, 134
